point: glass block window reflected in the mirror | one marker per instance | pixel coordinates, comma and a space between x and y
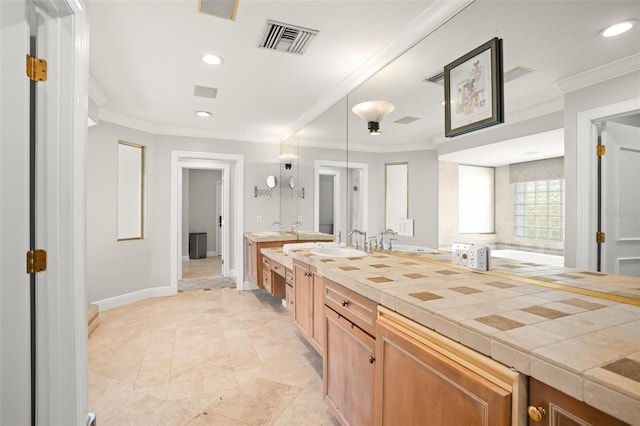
539, 209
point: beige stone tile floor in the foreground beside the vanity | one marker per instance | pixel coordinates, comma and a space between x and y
218, 357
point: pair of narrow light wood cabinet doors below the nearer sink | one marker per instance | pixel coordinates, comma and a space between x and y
308, 303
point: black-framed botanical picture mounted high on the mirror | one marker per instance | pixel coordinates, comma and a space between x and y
474, 90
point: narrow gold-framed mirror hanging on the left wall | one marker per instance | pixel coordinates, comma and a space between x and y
130, 207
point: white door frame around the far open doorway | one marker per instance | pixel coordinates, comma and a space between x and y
208, 160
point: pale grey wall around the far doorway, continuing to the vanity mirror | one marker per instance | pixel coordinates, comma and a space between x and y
145, 263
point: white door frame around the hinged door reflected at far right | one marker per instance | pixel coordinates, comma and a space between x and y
586, 178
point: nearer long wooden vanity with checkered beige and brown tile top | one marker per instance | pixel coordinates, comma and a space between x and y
407, 339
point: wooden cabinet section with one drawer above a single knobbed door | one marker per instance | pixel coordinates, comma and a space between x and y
349, 361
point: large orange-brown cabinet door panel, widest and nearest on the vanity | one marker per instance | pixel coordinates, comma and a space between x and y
416, 385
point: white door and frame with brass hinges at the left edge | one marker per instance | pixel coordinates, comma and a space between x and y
62, 312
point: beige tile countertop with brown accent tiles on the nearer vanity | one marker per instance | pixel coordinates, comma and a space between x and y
584, 346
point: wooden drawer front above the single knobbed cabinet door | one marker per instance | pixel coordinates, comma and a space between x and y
353, 306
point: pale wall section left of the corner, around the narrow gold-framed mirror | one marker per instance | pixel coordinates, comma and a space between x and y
115, 267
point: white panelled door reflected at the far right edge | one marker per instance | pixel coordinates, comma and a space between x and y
621, 199
